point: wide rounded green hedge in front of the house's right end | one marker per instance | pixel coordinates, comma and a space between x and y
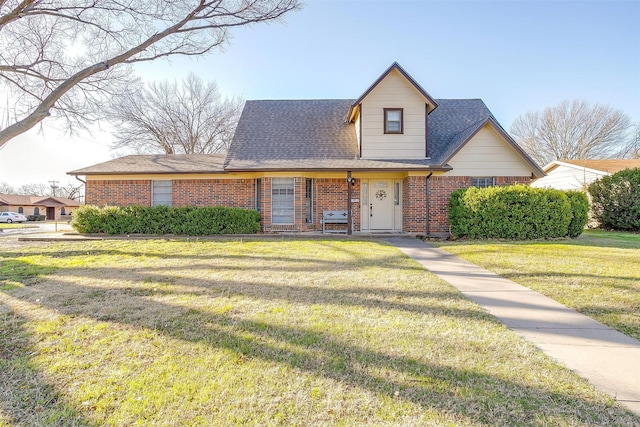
516, 212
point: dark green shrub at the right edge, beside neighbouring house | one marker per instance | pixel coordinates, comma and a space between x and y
615, 200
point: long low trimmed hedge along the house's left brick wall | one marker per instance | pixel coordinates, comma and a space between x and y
191, 221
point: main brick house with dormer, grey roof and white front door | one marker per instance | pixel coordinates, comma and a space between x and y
402, 151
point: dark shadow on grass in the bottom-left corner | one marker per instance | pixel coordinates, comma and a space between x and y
26, 397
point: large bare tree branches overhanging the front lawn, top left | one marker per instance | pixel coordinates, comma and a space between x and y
62, 58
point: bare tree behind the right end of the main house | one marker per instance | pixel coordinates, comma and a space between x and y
572, 130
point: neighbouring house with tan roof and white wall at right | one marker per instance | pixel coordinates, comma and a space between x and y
578, 174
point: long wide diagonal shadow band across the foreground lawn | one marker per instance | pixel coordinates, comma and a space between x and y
469, 395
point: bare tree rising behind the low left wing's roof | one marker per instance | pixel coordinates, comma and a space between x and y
167, 117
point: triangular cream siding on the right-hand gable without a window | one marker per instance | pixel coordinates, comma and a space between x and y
488, 154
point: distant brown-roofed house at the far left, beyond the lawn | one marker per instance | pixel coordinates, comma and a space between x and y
52, 207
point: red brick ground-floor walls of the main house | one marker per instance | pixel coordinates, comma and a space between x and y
328, 194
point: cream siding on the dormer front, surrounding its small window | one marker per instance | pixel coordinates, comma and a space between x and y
394, 91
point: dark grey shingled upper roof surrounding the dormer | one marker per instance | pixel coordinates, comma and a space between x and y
314, 134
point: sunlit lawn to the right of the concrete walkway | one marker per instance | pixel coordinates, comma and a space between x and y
597, 274
